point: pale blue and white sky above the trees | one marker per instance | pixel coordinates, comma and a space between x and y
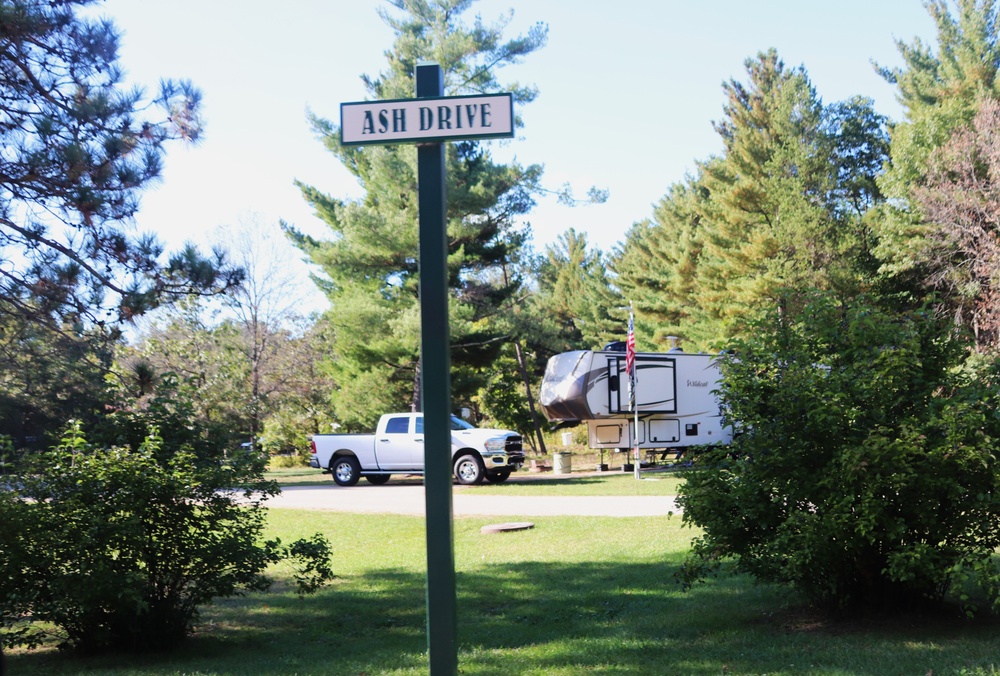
628, 91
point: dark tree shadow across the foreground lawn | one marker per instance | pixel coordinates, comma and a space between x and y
548, 618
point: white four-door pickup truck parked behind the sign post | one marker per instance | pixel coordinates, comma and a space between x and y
397, 447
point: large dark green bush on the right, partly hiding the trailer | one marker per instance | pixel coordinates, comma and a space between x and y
864, 470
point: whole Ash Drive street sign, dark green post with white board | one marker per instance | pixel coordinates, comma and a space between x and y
429, 120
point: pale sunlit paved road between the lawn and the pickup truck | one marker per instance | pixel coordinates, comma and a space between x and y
401, 498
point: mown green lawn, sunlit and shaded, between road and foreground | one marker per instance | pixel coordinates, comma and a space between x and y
571, 596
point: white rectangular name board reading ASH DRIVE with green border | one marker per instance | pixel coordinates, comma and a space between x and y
427, 120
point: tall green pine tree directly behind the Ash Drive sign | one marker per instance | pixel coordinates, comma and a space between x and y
369, 265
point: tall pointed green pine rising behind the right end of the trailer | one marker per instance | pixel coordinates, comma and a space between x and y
769, 221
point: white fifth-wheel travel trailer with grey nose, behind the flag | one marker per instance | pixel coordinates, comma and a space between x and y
675, 399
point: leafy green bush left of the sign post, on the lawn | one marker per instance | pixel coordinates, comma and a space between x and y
118, 547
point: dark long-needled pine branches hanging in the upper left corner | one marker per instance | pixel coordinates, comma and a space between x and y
79, 148
